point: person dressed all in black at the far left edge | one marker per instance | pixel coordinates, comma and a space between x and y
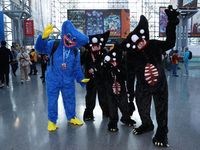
5, 59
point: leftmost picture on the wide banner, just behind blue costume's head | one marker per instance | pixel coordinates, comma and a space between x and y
77, 17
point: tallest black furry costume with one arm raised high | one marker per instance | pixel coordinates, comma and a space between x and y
144, 61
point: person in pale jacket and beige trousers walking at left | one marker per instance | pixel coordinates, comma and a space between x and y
24, 60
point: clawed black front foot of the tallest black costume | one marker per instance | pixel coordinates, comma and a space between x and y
160, 140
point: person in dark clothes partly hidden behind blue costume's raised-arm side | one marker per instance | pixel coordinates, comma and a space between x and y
44, 61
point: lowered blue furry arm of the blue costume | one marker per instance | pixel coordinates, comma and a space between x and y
77, 69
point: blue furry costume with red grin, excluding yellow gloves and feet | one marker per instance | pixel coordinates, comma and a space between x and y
59, 79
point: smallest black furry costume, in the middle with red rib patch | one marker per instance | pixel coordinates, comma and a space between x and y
116, 90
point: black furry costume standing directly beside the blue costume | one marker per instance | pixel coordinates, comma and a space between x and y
92, 61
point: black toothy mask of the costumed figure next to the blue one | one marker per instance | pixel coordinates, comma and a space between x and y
97, 42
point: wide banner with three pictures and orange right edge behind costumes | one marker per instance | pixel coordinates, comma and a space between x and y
98, 21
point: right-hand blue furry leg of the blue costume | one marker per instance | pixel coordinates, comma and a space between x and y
69, 100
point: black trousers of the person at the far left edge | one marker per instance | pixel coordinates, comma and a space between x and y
4, 71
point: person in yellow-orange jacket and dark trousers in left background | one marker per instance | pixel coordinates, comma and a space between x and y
33, 59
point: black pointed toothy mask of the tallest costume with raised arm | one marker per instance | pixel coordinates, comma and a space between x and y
138, 38
